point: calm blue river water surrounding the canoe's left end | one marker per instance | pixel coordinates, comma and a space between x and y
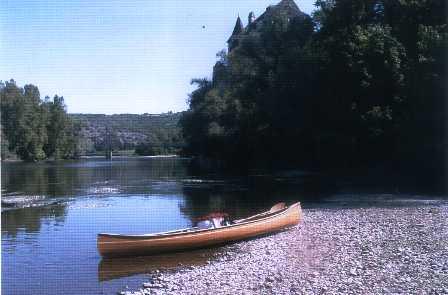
49, 241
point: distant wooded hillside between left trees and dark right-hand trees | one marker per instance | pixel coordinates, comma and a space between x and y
129, 131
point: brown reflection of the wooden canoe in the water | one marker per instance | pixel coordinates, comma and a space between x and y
111, 269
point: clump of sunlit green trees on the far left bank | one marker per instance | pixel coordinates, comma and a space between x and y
33, 128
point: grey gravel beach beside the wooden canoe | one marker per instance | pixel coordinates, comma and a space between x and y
371, 246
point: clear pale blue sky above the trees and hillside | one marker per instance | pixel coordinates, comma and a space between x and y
118, 56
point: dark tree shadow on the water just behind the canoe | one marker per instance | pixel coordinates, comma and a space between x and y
250, 195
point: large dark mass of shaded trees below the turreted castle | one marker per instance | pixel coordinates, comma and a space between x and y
362, 82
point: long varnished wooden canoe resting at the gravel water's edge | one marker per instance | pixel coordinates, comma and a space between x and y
276, 219
